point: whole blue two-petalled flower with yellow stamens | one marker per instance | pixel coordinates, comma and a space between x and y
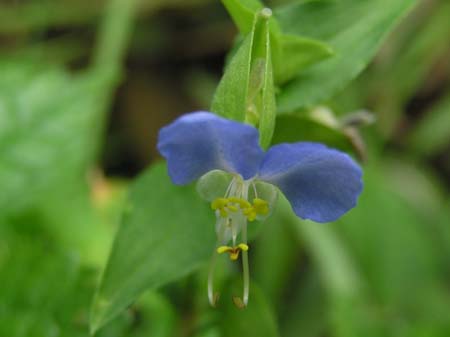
320, 183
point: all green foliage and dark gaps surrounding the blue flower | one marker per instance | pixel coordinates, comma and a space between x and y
84, 88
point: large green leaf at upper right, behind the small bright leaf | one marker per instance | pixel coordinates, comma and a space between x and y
354, 29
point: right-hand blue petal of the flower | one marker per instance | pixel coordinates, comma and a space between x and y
320, 183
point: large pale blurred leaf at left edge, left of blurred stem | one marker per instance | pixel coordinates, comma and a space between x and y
49, 129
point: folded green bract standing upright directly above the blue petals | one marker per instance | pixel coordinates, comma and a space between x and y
246, 91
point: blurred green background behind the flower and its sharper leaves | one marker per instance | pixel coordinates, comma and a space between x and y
85, 87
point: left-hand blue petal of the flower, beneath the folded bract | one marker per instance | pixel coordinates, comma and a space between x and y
199, 142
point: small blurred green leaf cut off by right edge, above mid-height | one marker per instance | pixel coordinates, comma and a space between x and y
432, 133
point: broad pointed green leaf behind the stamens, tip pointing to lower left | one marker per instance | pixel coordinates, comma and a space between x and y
167, 232
